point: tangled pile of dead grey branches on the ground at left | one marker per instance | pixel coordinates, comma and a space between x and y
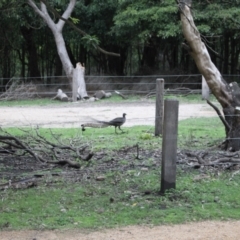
46, 151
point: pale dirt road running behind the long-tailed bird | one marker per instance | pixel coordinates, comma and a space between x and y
74, 114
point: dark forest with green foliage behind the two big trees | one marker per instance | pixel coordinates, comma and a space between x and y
147, 34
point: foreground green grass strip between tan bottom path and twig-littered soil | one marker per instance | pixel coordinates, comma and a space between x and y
107, 204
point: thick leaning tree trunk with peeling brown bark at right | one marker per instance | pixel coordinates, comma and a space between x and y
227, 95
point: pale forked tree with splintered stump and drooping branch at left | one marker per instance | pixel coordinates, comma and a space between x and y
56, 27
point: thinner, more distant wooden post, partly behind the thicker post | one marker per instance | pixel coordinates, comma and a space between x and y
159, 106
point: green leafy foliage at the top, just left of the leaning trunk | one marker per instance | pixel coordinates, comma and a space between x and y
144, 18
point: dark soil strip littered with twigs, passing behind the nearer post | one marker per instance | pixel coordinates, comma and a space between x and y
27, 169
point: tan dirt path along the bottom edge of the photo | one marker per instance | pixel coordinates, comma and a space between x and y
194, 231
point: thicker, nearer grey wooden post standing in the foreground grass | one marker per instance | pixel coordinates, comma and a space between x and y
169, 145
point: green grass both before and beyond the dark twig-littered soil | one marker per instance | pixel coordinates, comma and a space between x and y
126, 197
